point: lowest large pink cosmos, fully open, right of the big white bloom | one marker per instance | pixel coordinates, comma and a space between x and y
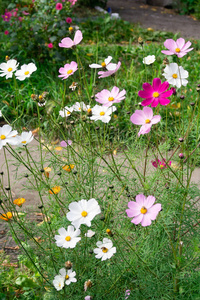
143, 210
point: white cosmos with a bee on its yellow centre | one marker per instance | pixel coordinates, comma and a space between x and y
105, 249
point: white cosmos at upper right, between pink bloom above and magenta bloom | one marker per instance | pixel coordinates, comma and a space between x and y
175, 75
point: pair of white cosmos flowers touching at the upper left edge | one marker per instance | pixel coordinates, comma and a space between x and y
7, 69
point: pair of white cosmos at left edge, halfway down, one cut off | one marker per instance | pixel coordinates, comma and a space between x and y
9, 136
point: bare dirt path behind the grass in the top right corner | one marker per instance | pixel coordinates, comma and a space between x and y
158, 18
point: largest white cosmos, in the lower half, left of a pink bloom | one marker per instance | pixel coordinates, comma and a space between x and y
83, 212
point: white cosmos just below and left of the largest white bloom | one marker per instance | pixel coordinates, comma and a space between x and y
67, 238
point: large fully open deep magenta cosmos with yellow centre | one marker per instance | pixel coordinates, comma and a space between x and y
156, 93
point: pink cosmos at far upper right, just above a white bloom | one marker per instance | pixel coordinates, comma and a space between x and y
180, 48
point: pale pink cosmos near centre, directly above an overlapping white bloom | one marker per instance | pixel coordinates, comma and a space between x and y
107, 98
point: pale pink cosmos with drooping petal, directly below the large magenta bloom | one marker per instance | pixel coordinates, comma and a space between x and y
145, 118
